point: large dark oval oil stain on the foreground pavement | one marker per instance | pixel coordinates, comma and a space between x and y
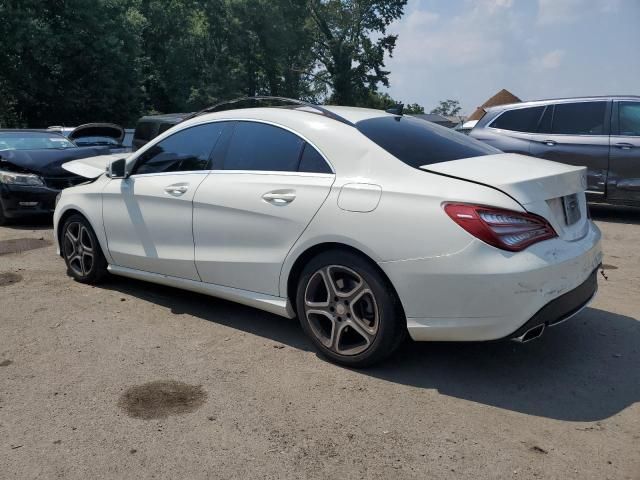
161, 399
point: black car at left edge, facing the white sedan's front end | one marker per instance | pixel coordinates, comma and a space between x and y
31, 175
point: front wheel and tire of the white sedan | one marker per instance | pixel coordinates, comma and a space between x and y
81, 251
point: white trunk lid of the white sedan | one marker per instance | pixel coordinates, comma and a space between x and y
550, 189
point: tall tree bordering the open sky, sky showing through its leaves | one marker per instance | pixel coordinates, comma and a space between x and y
350, 42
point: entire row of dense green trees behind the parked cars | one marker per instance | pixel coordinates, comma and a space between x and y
67, 62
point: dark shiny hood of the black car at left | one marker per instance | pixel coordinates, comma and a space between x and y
47, 162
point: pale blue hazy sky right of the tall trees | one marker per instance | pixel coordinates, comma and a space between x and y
470, 49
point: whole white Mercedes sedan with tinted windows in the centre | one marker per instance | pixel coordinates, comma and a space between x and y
364, 224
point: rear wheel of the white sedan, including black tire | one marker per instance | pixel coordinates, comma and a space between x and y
348, 309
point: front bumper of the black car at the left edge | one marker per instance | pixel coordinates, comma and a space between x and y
24, 201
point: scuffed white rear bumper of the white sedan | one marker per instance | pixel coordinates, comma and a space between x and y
482, 293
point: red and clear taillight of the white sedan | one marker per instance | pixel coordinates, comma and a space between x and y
505, 229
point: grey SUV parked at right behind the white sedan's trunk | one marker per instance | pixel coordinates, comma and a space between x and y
601, 133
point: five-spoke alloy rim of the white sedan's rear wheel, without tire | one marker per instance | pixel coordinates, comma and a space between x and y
341, 309
